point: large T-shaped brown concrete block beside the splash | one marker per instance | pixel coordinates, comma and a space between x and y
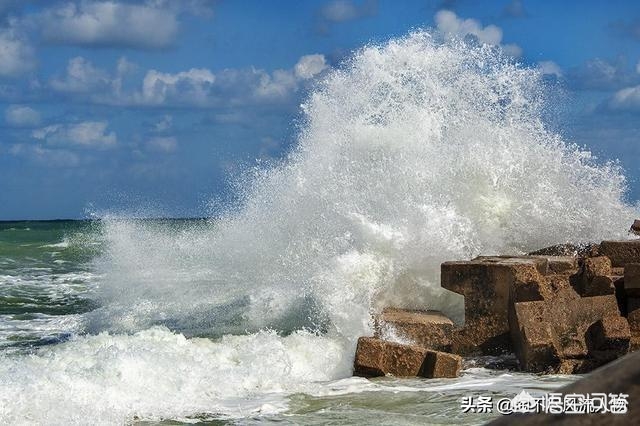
486, 284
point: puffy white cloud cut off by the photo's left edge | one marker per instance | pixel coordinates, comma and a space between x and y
16, 54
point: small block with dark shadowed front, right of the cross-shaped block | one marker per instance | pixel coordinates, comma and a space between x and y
608, 338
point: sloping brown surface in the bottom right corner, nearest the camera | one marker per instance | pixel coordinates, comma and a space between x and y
620, 376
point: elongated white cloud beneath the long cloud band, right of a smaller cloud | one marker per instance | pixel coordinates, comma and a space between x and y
87, 134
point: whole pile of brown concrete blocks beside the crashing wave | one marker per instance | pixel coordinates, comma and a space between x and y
561, 313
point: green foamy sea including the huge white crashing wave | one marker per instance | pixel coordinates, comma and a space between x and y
413, 152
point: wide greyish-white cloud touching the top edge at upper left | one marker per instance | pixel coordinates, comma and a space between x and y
110, 24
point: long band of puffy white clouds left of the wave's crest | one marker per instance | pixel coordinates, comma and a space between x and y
196, 87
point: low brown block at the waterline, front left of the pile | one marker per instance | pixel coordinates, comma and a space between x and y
377, 357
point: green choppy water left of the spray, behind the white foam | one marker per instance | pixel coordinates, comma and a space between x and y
45, 280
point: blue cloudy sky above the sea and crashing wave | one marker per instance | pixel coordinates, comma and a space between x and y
151, 107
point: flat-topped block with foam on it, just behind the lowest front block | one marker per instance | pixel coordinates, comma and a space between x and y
430, 329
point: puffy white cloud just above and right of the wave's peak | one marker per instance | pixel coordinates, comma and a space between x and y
451, 26
